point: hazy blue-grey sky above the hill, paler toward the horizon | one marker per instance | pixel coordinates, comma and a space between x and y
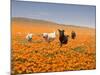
69, 14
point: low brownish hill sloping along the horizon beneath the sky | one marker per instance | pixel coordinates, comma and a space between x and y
40, 22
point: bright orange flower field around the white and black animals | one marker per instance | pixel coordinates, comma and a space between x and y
40, 56
